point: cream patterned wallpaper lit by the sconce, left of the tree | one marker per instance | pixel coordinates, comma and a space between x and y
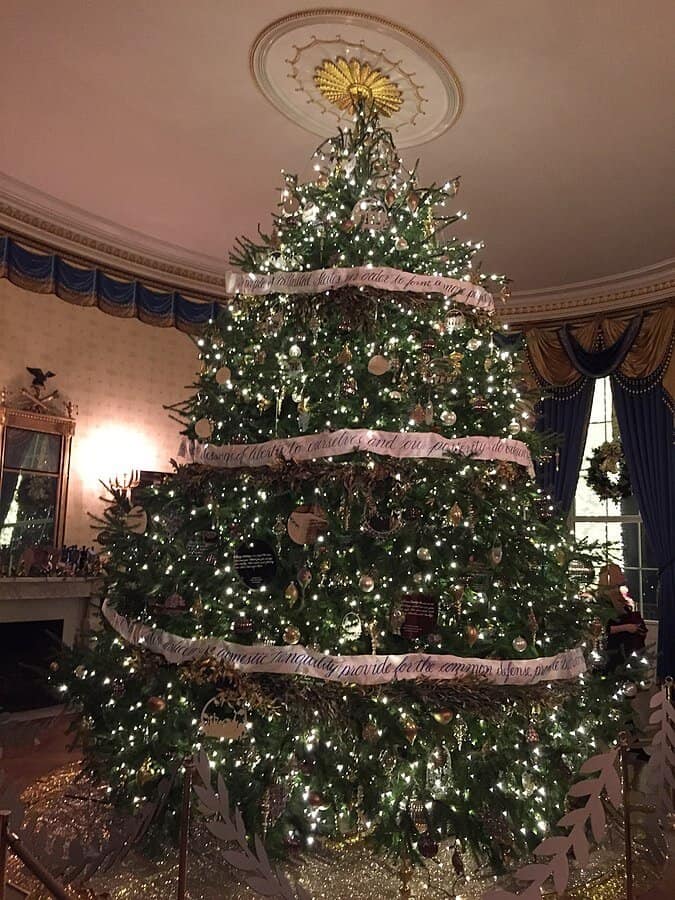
119, 372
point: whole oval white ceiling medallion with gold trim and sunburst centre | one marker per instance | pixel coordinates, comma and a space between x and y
314, 65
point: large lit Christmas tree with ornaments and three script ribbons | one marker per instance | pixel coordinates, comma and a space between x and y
394, 522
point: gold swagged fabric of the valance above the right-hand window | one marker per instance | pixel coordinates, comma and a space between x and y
652, 348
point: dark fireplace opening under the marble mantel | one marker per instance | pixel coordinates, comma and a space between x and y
26, 650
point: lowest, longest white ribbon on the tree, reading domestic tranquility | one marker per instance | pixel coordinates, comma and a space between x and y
371, 669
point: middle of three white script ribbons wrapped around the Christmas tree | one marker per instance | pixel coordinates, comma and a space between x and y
402, 445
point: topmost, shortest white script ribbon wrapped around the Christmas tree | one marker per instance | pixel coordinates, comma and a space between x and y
312, 282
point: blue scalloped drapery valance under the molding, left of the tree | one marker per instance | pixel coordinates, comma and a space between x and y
50, 273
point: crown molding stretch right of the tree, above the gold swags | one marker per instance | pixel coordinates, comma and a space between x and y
624, 291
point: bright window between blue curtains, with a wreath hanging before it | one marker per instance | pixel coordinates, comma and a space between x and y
617, 524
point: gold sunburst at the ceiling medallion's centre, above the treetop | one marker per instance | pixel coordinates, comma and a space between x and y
348, 83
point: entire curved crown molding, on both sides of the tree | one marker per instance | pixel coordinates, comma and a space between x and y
51, 224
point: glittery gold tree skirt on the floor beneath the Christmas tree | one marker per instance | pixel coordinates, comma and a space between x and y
65, 805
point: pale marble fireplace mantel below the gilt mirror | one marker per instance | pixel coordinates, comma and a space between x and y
37, 599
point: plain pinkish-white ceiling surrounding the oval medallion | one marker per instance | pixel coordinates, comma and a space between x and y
144, 113
